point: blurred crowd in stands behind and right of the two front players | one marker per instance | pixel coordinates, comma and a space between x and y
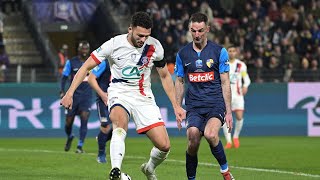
279, 40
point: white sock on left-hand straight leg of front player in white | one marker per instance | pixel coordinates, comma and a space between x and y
117, 147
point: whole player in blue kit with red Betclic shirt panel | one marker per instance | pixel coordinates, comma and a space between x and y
204, 66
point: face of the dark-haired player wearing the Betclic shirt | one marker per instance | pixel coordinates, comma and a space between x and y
198, 31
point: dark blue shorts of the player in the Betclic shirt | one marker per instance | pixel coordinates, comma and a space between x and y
199, 117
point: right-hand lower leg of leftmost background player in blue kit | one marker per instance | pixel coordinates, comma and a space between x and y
84, 117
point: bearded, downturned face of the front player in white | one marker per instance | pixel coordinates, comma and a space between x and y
138, 35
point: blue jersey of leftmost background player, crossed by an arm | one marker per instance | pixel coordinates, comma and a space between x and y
70, 69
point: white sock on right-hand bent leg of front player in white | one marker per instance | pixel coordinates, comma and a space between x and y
156, 158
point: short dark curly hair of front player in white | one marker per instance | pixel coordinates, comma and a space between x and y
141, 19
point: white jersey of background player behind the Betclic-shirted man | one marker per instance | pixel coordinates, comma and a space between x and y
238, 77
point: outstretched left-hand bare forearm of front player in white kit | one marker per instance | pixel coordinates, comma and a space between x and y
66, 101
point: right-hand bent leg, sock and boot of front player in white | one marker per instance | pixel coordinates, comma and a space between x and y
158, 153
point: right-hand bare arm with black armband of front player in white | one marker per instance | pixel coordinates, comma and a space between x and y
168, 87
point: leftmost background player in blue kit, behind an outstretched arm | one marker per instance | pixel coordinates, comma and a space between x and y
82, 97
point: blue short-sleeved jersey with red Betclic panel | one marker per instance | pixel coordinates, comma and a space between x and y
201, 71
